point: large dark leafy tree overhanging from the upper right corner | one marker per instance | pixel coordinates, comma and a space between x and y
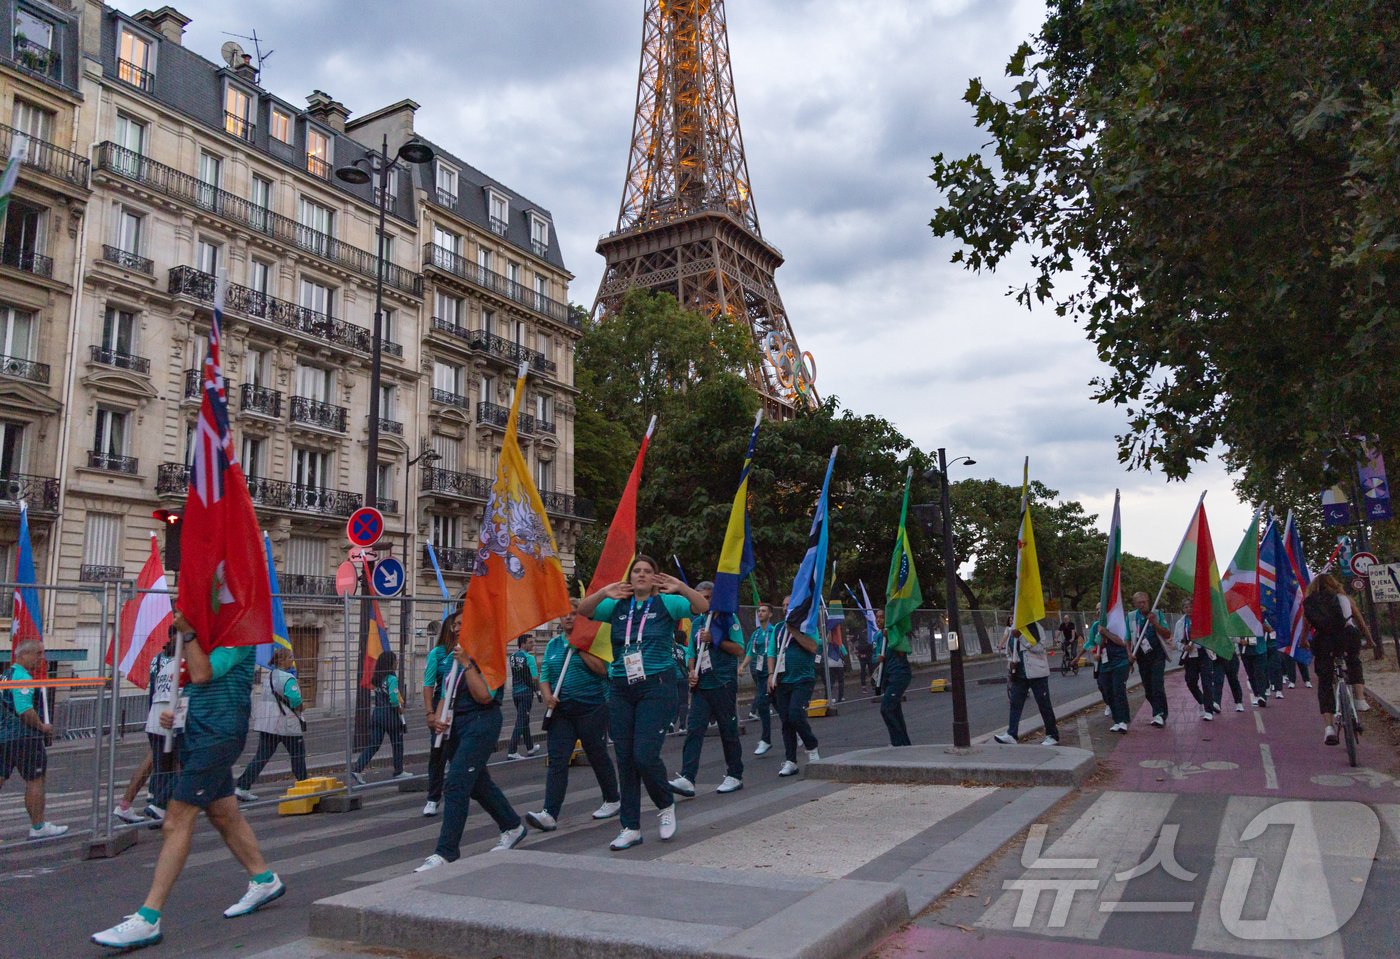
1213, 190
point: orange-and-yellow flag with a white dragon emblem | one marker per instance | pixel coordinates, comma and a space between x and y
519, 582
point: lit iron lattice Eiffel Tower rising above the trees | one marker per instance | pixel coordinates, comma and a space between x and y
688, 225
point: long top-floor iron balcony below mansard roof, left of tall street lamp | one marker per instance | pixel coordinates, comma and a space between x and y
190, 190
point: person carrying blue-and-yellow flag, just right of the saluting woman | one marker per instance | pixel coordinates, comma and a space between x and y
713, 674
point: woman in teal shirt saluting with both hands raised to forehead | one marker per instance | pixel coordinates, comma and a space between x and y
645, 614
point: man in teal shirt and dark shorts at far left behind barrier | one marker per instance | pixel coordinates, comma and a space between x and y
26, 737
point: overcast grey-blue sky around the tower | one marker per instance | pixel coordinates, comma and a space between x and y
842, 106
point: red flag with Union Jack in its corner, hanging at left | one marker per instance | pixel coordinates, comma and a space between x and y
223, 584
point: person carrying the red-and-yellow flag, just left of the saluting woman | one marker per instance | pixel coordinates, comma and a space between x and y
575, 688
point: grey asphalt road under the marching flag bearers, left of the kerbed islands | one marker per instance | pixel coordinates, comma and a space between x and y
66, 899
